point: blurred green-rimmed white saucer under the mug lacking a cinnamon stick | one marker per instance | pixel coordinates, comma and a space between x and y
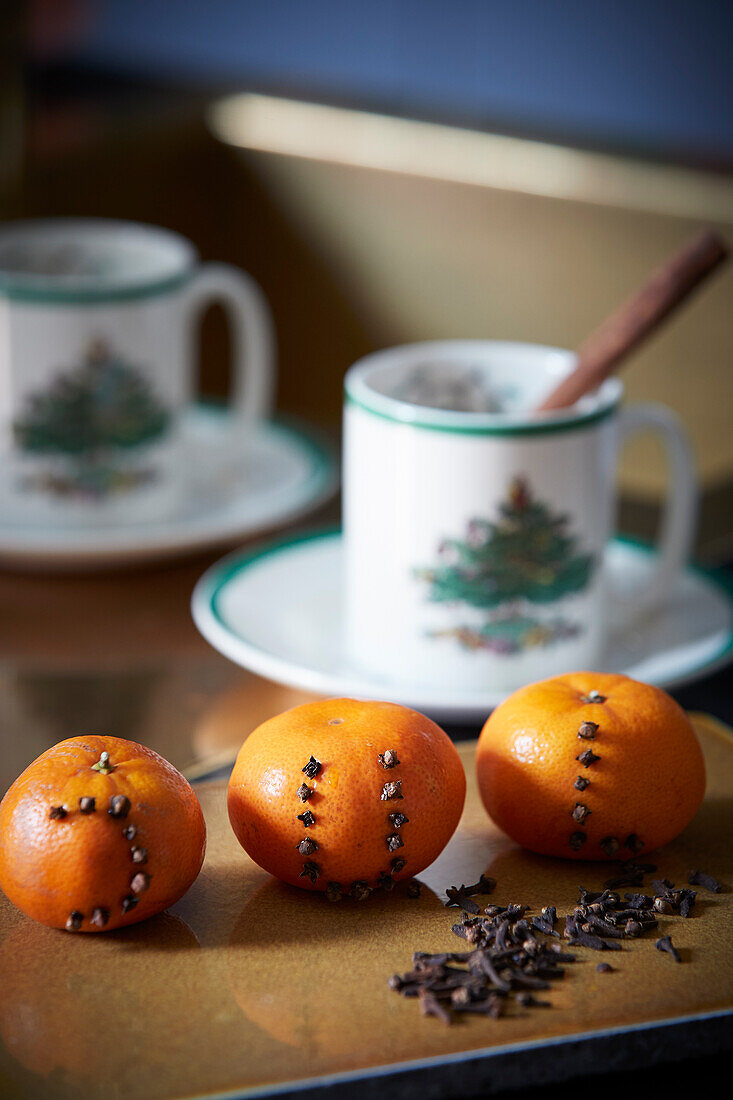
237, 488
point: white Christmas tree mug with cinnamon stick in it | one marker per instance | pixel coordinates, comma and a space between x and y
475, 542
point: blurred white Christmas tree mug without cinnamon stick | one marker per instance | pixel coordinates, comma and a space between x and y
99, 326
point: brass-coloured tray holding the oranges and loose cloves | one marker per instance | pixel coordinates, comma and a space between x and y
251, 988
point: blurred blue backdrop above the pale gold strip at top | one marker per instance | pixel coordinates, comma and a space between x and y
648, 74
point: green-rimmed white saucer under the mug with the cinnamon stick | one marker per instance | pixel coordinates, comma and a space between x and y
279, 611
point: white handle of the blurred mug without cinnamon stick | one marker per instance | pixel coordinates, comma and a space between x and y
254, 337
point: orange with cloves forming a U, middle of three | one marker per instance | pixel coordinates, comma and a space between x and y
343, 797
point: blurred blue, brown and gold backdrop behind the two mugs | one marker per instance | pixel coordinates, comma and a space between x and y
404, 170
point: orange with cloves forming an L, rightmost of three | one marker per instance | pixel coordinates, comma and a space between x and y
590, 766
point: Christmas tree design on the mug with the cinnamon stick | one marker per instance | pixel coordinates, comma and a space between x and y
508, 567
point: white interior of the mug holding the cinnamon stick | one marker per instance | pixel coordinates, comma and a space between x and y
506, 381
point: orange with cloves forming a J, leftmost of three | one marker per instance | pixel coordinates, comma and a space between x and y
100, 833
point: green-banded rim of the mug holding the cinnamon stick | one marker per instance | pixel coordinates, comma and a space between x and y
362, 394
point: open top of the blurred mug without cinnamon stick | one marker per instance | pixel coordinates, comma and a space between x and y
90, 257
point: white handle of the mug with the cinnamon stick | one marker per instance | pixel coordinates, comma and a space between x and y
679, 521
